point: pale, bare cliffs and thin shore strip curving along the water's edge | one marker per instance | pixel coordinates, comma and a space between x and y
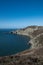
21, 32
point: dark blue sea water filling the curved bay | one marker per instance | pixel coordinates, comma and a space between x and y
12, 43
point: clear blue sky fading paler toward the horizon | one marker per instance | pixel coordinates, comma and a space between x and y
20, 13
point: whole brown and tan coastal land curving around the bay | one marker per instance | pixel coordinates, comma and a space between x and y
32, 56
